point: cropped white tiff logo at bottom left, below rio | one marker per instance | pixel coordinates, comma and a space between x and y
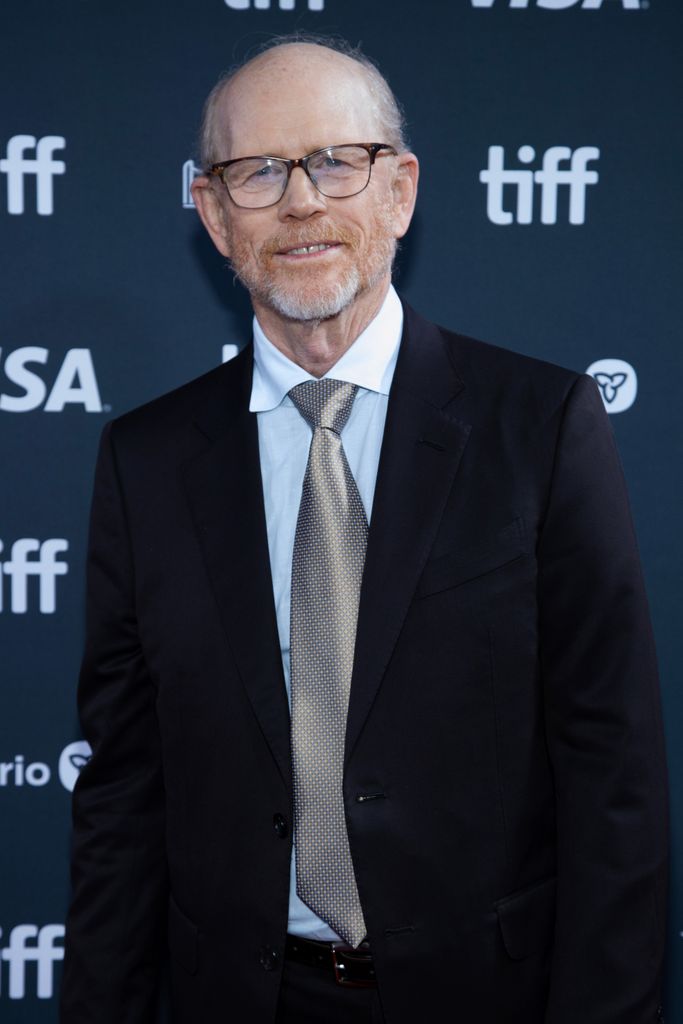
30, 945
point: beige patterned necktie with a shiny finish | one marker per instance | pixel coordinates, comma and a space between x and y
327, 571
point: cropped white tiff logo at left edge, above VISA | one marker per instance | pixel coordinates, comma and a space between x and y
17, 166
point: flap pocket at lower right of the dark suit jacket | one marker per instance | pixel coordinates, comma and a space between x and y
528, 919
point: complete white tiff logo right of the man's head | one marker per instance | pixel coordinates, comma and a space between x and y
577, 178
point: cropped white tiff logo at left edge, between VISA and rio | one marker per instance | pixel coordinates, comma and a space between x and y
46, 567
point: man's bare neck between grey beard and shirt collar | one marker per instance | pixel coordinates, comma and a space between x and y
318, 346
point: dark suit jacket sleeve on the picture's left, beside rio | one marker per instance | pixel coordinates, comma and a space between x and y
115, 930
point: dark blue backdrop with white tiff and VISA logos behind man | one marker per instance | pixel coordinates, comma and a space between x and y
549, 222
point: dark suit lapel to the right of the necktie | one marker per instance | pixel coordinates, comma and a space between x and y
422, 448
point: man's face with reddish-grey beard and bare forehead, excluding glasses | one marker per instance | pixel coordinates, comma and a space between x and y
294, 102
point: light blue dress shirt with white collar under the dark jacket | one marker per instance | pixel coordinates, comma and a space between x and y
284, 439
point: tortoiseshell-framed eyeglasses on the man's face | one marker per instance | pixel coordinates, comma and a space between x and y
337, 172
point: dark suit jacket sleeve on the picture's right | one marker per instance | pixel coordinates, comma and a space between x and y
605, 735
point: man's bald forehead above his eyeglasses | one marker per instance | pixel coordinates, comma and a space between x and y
298, 95
